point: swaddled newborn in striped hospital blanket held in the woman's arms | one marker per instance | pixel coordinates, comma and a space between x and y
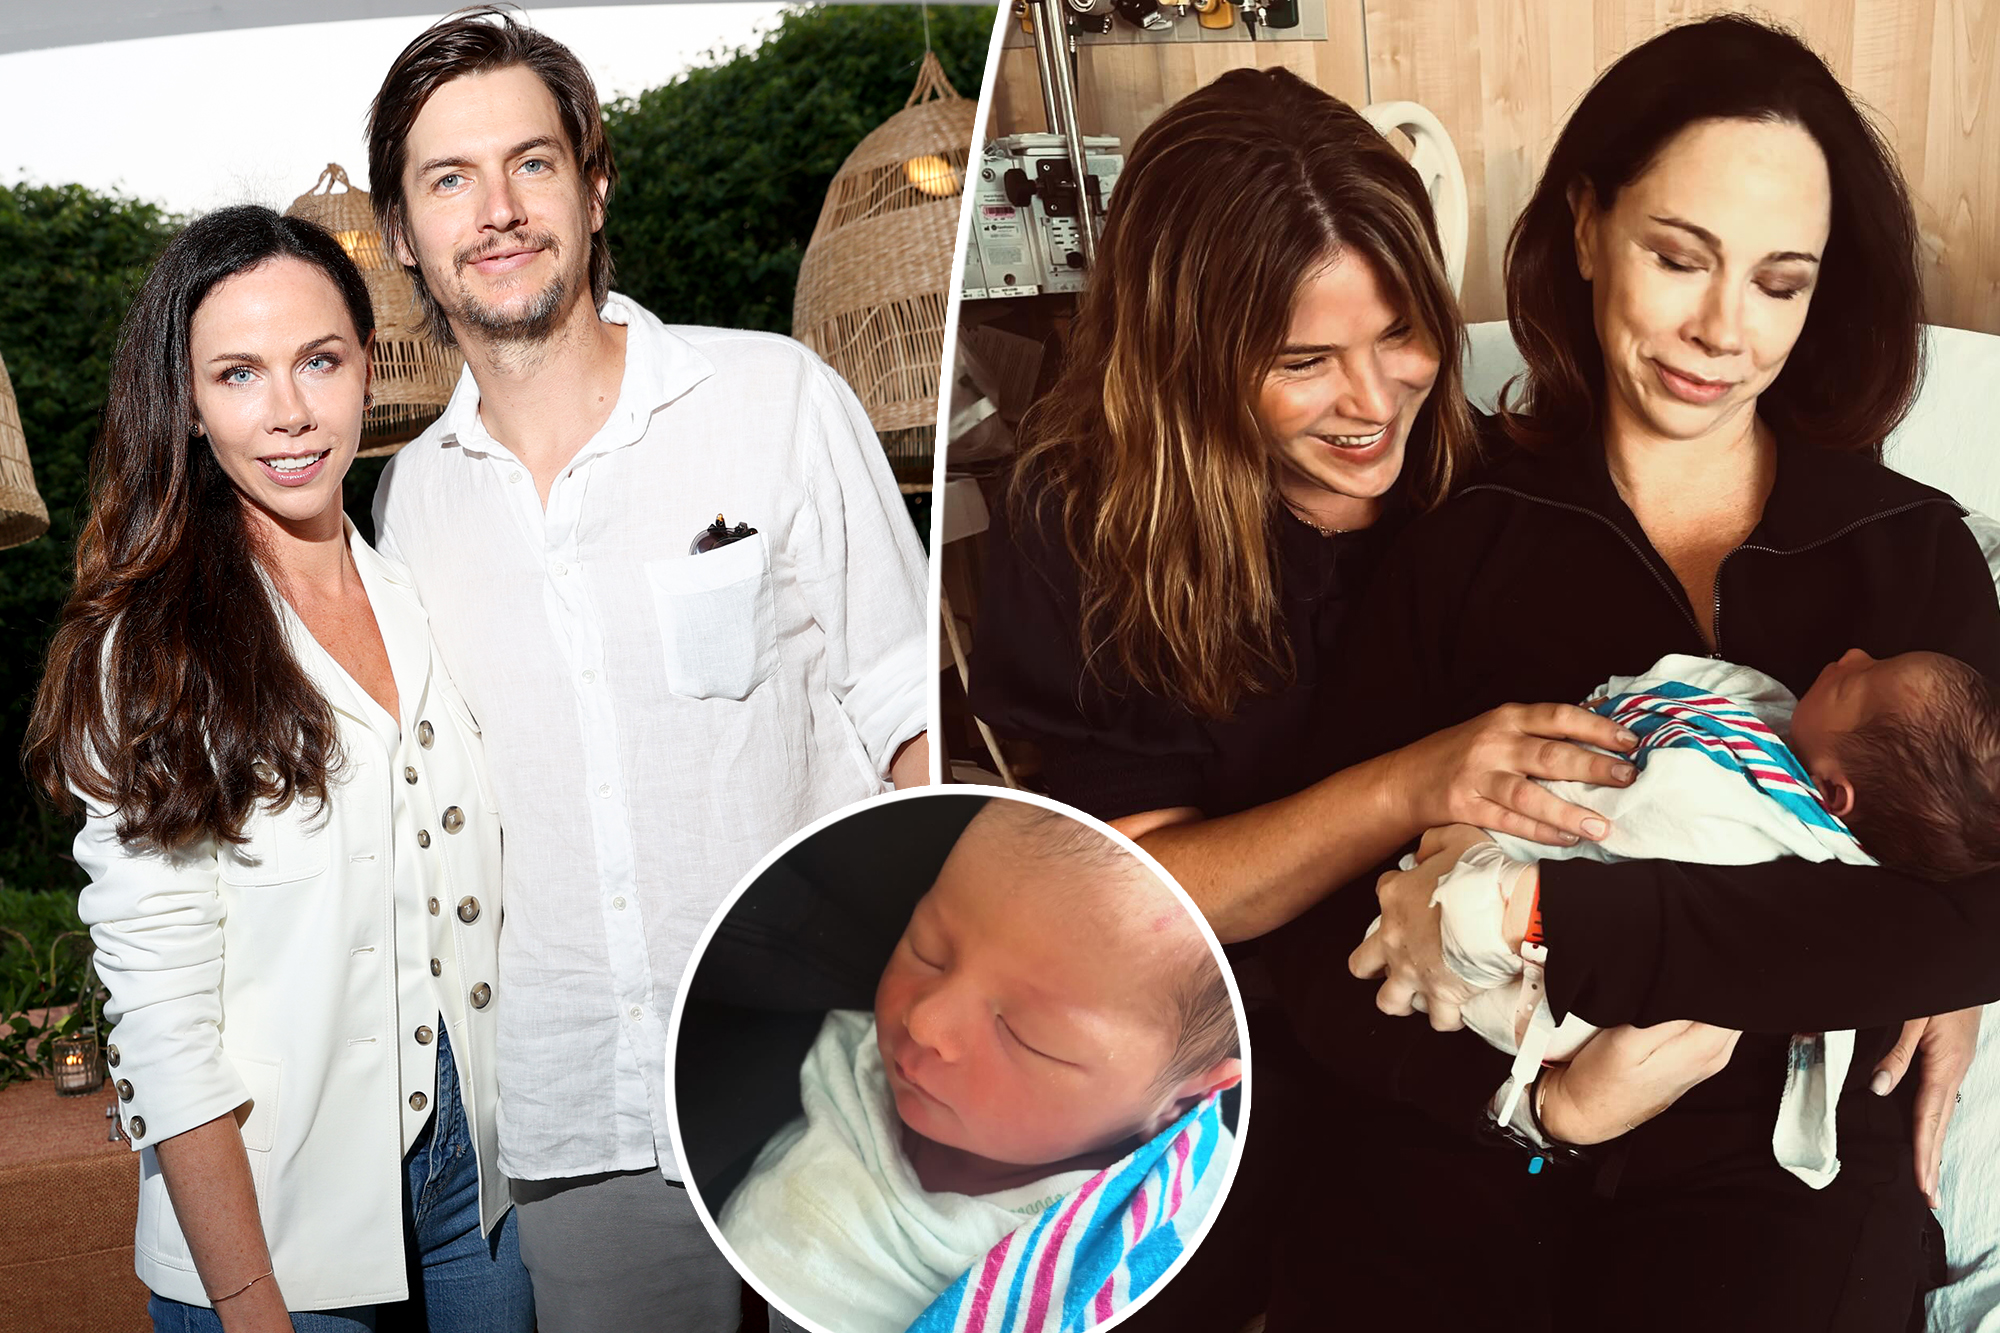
1889, 762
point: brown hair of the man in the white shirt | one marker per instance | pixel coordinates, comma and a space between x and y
479, 41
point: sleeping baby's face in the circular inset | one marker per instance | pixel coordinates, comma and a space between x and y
1027, 1014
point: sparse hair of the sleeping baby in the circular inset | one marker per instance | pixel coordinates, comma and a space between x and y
1203, 1012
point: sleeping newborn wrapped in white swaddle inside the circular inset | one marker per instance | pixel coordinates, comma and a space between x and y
1049, 1010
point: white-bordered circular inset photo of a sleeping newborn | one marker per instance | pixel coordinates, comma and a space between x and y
959, 1062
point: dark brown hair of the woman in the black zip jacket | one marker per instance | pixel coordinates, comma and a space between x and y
1859, 361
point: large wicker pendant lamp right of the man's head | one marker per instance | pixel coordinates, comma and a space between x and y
879, 269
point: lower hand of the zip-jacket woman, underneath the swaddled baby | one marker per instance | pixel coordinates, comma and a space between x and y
1627, 1076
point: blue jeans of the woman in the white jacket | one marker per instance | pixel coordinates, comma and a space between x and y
459, 1280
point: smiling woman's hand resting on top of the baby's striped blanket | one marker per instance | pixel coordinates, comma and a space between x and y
1481, 772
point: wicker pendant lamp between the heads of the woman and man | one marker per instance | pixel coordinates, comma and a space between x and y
413, 373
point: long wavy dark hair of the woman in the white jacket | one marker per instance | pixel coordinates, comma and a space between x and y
171, 694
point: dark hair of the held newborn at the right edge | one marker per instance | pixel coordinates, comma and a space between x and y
1927, 782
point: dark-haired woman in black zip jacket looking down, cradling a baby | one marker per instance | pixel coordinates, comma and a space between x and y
1717, 297
